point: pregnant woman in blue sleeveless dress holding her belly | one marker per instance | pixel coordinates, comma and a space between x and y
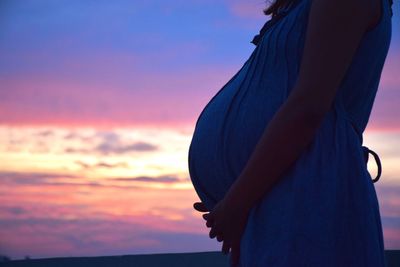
277, 156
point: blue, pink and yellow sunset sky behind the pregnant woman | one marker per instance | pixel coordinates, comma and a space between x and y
98, 103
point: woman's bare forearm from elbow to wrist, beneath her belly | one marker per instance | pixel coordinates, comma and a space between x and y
288, 133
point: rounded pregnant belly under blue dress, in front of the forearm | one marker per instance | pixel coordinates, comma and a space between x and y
225, 135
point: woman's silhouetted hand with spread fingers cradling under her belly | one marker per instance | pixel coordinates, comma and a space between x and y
227, 221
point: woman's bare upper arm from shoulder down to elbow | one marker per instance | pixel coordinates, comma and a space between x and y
334, 31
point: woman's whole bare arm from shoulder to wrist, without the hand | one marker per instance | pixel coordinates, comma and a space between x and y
335, 28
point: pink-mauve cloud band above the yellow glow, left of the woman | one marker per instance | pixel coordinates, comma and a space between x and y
149, 97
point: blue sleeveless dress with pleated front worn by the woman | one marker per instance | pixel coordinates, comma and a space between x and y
324, 211
